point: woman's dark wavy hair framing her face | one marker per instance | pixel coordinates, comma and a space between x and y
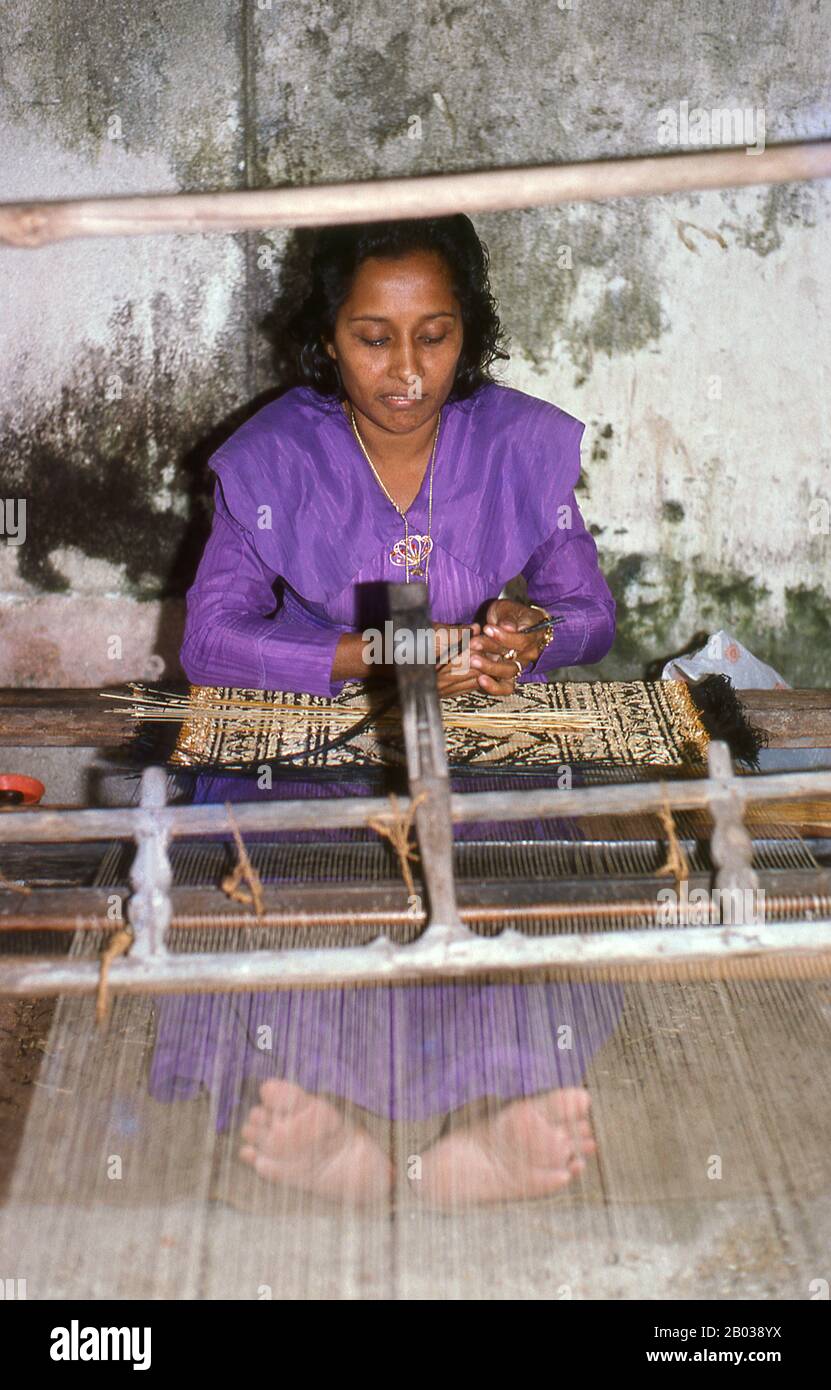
337, 255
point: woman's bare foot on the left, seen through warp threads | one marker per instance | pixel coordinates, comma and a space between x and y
304, 1142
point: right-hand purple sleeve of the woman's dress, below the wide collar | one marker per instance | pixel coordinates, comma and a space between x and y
565, 579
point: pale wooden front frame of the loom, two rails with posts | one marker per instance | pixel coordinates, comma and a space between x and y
447, 949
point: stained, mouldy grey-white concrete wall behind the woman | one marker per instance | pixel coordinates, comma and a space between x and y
689, 333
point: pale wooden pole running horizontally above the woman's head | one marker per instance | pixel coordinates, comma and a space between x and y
34, 224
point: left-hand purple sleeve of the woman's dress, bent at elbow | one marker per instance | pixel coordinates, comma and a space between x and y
230, 636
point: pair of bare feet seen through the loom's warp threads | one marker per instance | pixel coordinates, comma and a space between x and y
529, 1149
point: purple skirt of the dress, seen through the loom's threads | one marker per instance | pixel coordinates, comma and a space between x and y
406, 1053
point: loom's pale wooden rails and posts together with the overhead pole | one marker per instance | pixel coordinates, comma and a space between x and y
447, 946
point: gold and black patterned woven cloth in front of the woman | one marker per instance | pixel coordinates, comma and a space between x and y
627, 723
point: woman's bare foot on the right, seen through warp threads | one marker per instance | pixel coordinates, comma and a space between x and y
529, 1149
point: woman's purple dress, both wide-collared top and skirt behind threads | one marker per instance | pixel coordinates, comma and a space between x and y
298, 555
